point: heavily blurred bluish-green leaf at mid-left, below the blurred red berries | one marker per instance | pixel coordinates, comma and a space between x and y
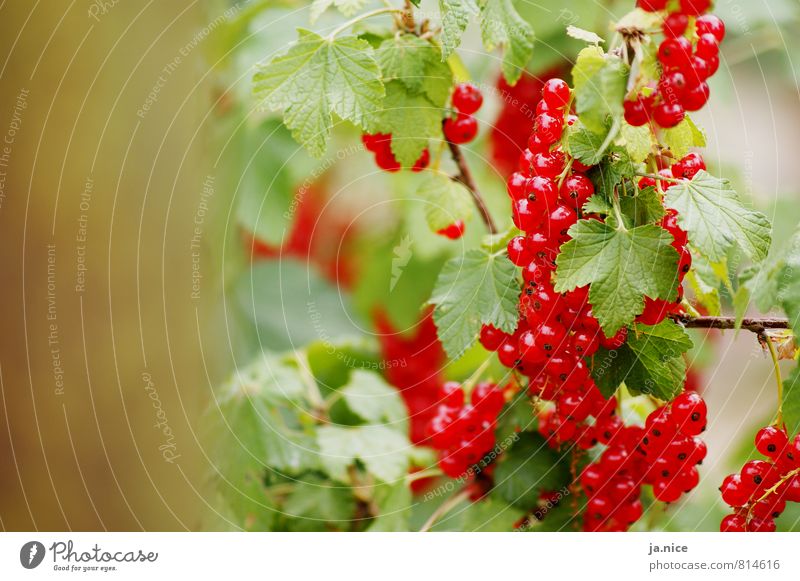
292, 306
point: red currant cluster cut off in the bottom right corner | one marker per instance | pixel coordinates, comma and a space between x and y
759, 493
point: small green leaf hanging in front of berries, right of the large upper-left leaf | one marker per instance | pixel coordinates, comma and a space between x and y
412, 119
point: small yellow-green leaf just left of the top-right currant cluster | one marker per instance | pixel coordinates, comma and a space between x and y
600, 96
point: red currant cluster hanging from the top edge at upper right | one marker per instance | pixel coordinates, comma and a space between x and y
686, 64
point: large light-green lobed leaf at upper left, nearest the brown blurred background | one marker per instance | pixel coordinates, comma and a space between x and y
316, 77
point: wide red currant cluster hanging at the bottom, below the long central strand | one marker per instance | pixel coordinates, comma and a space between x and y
663, 454
